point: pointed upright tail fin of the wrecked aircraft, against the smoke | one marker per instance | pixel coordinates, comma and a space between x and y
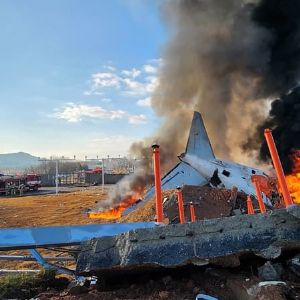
198, 142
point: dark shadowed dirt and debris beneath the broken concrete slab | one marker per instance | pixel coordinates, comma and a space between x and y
181, 284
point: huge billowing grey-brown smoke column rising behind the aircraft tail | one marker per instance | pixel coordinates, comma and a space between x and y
227, 60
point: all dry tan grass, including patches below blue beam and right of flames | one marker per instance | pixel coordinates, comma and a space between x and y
67, 208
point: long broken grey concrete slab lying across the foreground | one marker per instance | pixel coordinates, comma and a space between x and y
196, 243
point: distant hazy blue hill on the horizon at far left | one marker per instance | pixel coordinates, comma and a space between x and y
17, 161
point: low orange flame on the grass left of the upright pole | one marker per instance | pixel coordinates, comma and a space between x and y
116, 212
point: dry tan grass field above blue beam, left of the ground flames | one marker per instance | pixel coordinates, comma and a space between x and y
46, 210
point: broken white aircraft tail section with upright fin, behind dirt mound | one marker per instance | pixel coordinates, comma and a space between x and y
199, 166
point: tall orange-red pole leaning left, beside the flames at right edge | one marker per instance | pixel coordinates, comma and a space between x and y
278, 168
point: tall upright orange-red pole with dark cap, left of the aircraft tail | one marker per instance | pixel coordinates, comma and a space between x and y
157, 181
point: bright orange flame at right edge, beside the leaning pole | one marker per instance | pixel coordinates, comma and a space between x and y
293, 179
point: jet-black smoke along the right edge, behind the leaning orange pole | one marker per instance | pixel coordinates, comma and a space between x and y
281, 19
